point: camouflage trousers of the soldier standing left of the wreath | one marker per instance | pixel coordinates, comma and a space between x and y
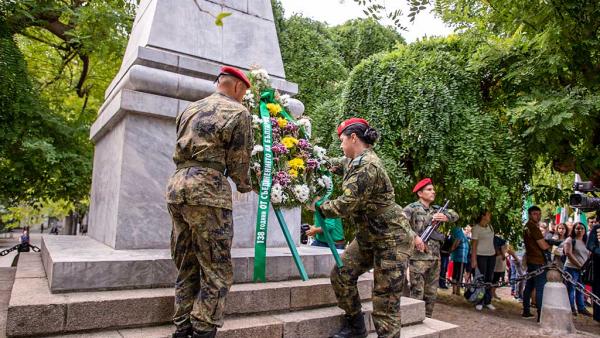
201, 249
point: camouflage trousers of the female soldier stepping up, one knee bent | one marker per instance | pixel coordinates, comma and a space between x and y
389, 264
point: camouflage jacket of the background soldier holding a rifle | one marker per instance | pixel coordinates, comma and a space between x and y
419, 216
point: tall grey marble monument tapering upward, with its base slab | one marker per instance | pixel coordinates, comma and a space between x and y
173, 56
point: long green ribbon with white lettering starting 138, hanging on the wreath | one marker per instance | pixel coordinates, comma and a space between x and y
264, 196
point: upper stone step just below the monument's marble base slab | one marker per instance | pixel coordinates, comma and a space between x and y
33, 309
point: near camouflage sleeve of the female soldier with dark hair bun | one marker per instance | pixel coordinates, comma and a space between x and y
356, 189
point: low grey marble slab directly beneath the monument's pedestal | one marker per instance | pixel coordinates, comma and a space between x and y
77, 263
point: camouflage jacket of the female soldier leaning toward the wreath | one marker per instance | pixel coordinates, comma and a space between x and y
368, 199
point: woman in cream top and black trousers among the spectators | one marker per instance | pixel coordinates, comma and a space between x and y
483, 255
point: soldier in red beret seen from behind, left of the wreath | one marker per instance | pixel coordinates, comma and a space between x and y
214, 141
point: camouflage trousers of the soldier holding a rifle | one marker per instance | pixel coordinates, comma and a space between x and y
424, 277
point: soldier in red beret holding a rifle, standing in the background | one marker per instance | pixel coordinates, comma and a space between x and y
424, 267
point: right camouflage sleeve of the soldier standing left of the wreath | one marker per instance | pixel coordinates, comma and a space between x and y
238, 154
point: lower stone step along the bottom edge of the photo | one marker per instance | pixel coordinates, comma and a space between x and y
321, 322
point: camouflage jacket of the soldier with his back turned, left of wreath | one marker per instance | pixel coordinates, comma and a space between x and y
217, 130
